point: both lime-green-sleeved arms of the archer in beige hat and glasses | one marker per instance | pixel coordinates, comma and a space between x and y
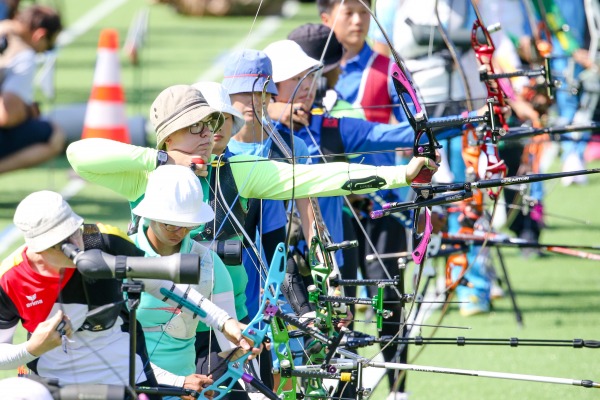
124, 168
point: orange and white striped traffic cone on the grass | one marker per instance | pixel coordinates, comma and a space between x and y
105, 113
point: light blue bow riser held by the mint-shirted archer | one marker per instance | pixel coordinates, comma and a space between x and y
255, 331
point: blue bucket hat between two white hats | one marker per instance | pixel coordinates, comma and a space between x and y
247, 71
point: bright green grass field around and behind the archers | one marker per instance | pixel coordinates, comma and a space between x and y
559, 296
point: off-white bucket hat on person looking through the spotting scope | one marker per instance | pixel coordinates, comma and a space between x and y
45, 219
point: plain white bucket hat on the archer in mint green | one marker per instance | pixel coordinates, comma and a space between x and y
174, 196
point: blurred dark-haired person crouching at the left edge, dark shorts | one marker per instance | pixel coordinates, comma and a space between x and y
25, 139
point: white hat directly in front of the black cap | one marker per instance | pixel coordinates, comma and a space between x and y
288, 59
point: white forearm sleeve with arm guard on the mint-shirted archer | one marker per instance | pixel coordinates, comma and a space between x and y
215, 316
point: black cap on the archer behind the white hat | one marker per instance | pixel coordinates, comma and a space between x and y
313, 38
